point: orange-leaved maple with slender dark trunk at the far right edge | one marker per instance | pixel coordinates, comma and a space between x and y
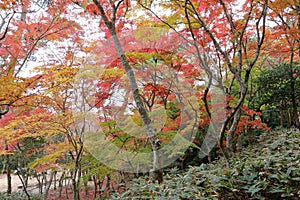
283, 42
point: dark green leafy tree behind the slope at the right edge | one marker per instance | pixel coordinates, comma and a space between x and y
278, 88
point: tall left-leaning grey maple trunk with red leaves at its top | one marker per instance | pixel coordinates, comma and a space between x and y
111, 12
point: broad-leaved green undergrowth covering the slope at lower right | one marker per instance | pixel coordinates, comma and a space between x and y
266, 171
